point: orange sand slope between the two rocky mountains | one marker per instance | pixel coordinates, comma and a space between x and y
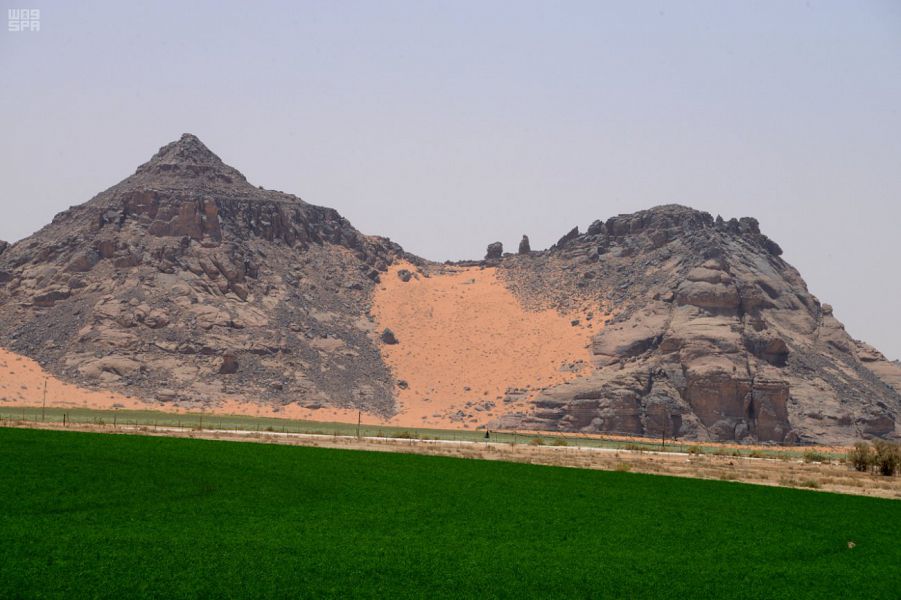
464, 338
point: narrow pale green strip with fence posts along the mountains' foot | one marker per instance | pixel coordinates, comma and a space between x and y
200, 421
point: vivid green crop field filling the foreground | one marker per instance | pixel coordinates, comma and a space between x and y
94, 515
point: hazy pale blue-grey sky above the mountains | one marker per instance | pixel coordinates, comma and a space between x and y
448, 125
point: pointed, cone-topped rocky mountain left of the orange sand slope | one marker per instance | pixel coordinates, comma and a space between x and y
184, 273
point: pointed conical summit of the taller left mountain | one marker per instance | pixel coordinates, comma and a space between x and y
188, 160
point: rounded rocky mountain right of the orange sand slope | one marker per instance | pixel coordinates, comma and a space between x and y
712, 336
